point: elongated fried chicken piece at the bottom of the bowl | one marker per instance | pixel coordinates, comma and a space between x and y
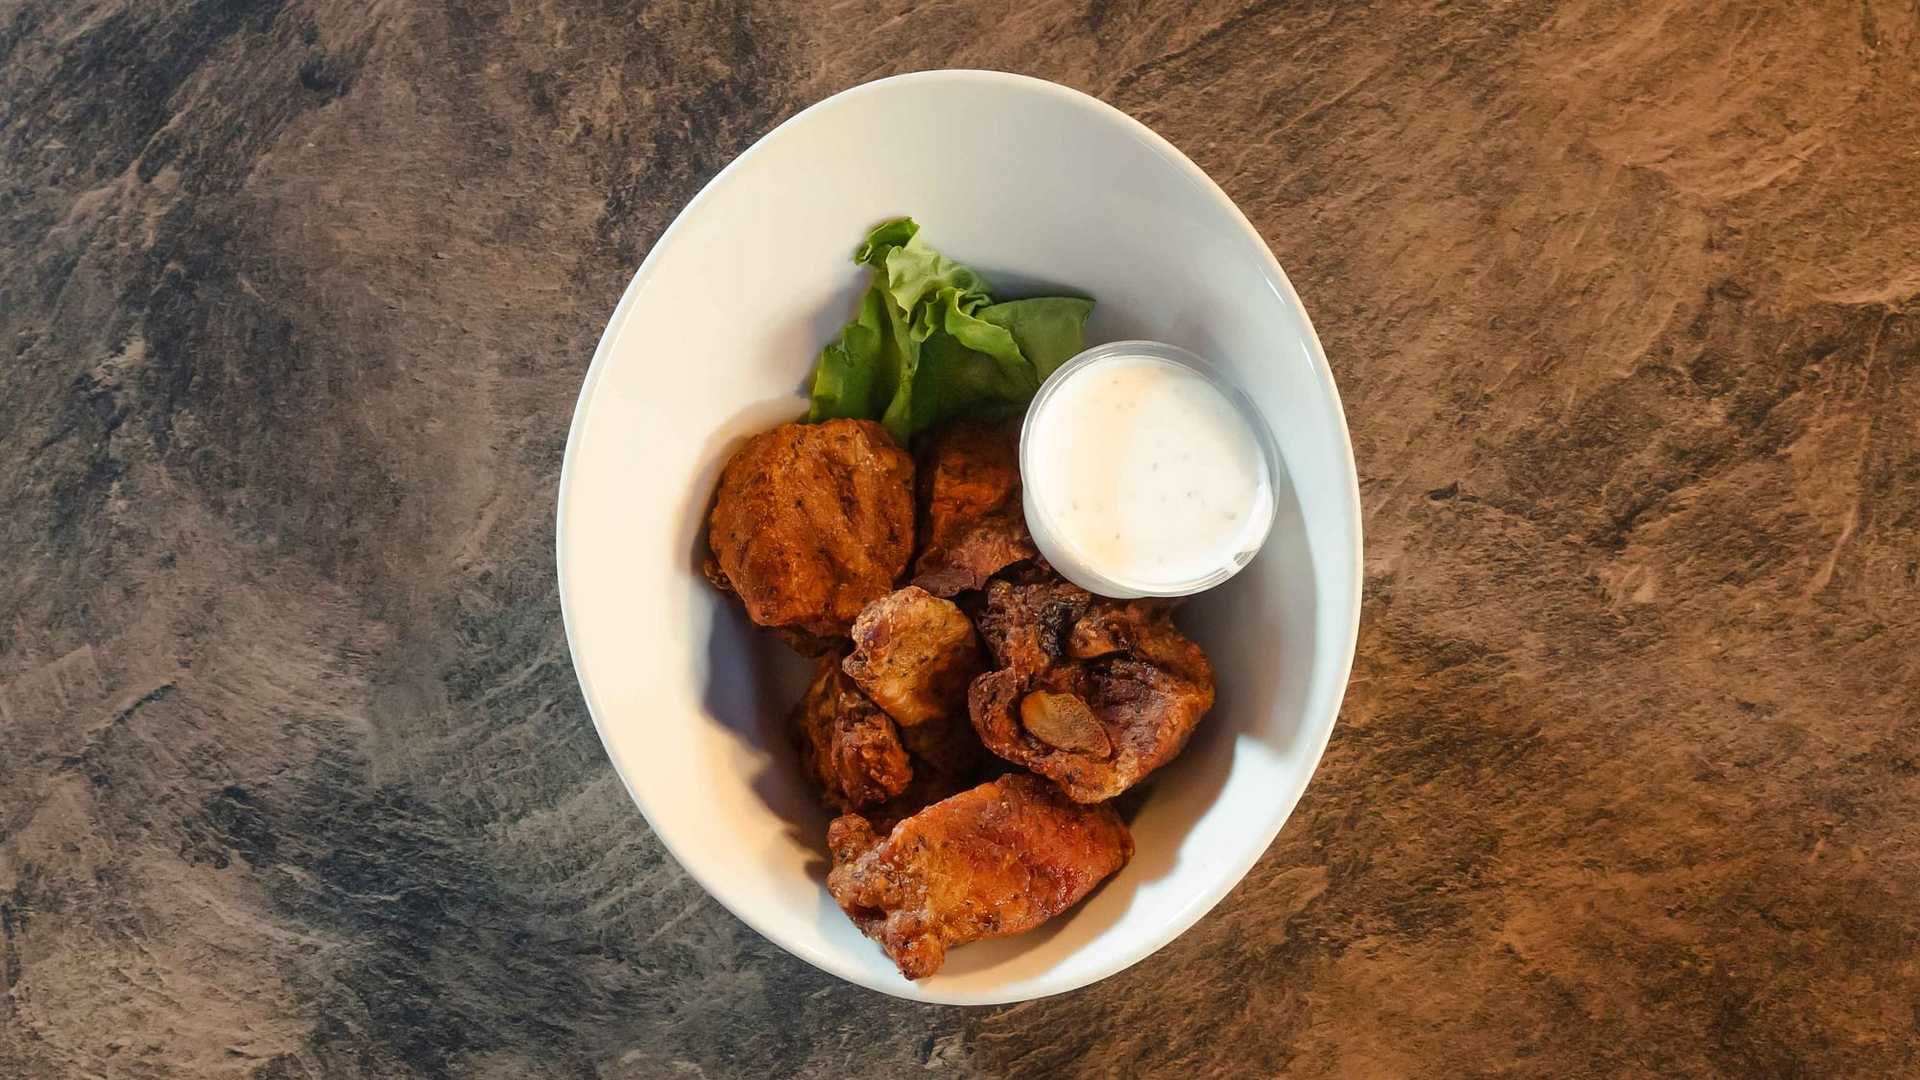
992, 862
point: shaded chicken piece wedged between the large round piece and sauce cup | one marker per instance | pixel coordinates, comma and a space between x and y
971, 518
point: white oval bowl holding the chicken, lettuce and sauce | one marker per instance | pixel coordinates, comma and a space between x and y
1042, 189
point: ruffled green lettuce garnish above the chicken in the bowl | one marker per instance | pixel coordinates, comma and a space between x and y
930, 345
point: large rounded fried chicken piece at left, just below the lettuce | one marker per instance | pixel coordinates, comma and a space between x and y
811, 524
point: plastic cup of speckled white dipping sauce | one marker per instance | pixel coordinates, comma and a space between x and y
1145, 474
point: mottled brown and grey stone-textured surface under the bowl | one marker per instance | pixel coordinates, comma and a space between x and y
295, 301
